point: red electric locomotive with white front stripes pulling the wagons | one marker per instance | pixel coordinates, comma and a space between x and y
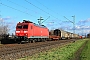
30, 32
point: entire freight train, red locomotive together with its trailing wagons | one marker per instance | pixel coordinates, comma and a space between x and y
31, 32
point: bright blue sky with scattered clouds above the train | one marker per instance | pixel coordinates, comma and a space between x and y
56, 13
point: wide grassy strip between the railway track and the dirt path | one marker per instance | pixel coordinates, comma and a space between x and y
65, 52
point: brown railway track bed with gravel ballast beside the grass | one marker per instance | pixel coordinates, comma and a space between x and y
16, 51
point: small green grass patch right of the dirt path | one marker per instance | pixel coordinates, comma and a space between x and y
85, 55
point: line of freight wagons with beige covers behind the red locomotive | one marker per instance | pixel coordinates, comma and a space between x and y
61, 34
